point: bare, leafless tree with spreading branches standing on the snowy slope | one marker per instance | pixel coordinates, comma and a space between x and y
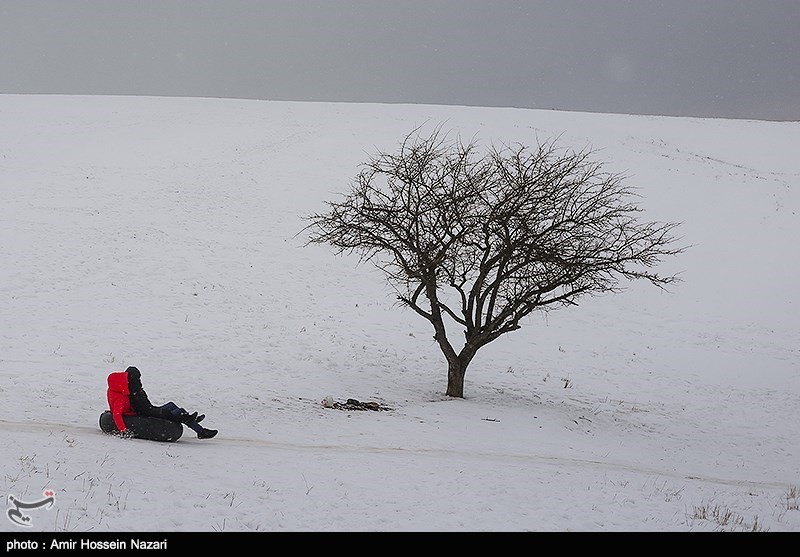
478, 241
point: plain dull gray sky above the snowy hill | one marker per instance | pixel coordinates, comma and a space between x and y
711, 58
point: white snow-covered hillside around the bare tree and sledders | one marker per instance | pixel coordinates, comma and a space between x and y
163, 233
